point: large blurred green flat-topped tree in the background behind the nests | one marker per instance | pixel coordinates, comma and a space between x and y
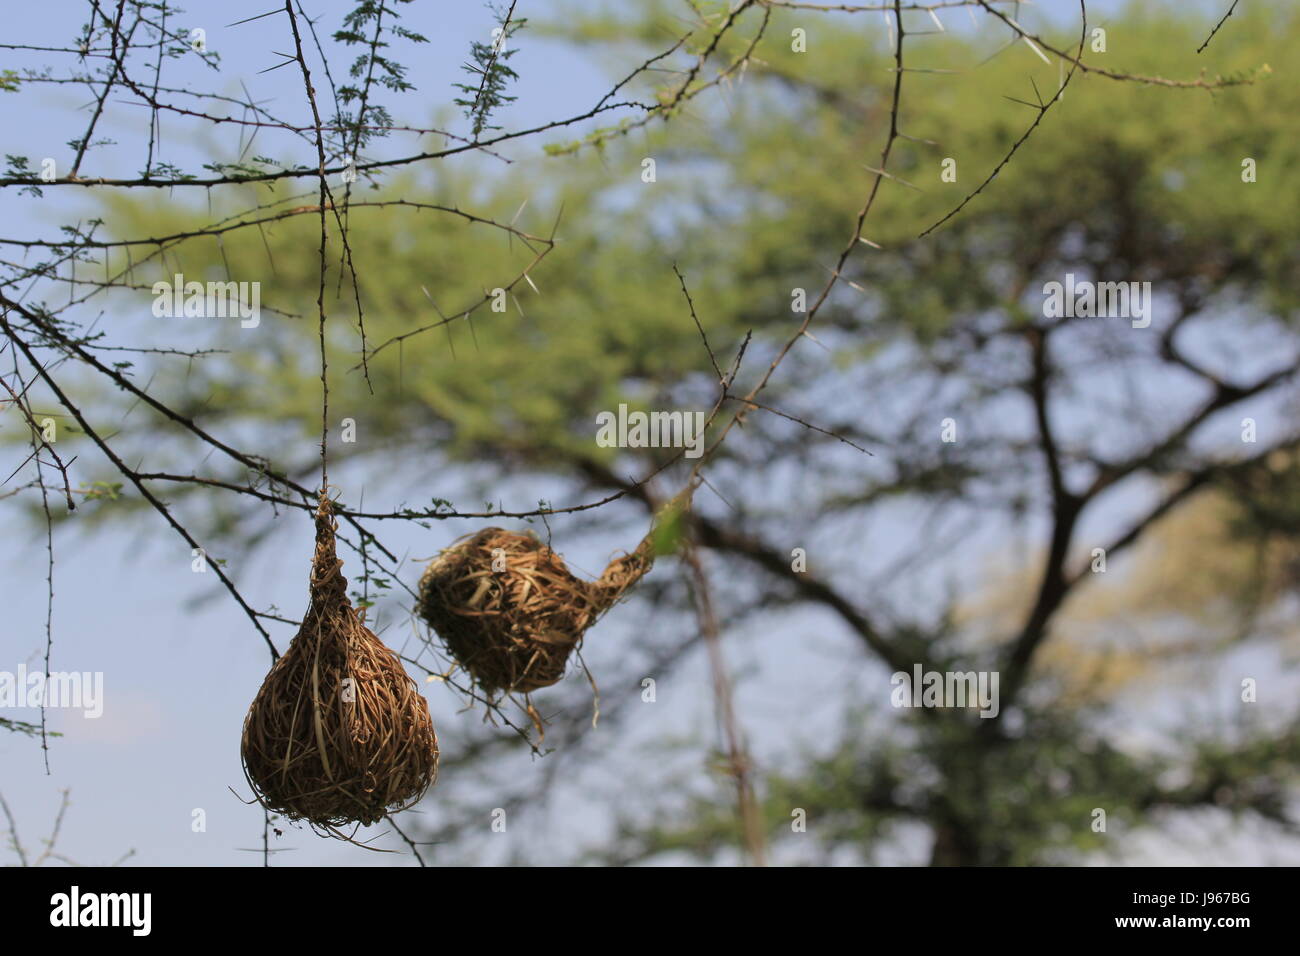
1072, 435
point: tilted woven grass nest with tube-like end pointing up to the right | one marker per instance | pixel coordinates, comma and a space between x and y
512, 613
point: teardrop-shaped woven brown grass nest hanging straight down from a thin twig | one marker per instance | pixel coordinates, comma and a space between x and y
339, 733
